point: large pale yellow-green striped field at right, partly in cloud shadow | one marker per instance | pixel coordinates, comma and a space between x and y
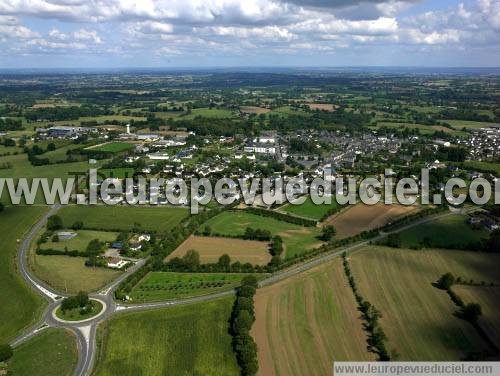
418, 318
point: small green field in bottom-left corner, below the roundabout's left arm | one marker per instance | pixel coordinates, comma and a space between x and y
51, 353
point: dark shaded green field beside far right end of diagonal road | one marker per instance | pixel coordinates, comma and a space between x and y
448, 232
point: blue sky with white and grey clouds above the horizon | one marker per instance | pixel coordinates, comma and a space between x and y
210, 33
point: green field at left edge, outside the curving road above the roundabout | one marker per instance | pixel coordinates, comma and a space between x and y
20, 305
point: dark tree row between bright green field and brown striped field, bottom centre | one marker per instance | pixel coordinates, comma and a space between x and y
242, 319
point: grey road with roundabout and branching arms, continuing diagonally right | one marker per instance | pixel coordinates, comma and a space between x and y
86, 331
